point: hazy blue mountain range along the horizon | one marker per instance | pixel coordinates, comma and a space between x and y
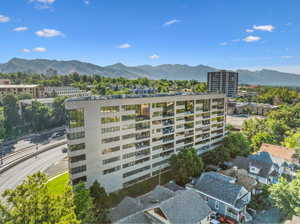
165, 71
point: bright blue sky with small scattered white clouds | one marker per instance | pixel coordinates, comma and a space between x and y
221, 33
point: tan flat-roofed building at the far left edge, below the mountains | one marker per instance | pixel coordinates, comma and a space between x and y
33, 90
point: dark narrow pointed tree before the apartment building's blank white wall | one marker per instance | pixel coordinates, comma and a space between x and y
100, 201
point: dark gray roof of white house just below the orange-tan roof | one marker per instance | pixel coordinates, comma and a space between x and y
246, 162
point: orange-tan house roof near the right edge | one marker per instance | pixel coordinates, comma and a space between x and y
278, 151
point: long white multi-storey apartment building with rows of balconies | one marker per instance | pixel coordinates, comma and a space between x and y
121, 140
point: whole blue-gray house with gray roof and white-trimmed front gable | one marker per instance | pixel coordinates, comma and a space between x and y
223, 195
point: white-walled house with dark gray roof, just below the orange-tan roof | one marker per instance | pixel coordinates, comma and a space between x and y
263, 171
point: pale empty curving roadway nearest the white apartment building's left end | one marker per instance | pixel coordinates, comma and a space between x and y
14, 176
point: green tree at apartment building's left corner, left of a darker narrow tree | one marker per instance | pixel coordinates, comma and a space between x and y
83, 204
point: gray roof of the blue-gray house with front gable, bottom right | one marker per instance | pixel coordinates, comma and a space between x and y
220, 186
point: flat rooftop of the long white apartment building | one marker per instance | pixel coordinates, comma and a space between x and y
135, 96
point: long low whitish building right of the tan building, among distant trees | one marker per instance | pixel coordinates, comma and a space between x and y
68, 91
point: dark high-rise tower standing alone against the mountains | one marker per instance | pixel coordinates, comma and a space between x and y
223, 82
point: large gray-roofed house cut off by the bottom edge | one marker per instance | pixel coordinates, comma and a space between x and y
163, 206
